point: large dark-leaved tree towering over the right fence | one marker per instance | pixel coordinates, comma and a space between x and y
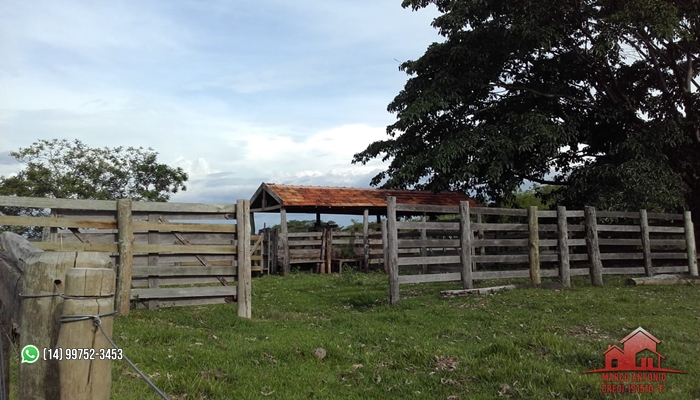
598, 97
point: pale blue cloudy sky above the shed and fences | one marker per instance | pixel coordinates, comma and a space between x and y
235, 92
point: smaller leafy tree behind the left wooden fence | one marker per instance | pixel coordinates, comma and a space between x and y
72, 170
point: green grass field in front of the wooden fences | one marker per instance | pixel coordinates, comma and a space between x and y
526, 343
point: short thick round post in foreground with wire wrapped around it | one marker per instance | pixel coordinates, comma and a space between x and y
85, 378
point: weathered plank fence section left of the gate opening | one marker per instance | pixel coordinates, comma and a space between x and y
166, 254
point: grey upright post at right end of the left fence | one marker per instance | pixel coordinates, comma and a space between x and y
243, 291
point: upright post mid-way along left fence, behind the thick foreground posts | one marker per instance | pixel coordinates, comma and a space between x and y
126, 256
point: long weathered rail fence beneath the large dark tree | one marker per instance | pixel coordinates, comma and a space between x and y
489, 243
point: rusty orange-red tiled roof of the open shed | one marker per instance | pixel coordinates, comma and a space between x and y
271, 197
